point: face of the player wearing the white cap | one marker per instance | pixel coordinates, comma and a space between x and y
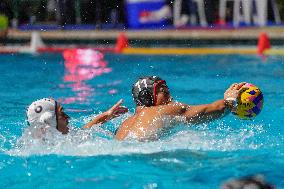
62, 120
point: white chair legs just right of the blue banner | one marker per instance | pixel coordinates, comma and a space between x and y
180, 20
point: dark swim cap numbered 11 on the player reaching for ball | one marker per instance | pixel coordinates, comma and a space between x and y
144, 90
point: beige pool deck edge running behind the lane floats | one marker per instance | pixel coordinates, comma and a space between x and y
276, 32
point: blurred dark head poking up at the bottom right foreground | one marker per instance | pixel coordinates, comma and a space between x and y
255, 182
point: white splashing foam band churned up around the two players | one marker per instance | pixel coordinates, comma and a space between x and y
216, 136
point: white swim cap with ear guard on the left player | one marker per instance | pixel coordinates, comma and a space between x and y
42, 112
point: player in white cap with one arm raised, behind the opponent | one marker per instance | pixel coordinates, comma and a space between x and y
47, 113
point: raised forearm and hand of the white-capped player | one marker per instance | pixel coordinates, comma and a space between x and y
113, 112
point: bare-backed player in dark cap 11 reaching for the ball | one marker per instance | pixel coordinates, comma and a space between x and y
154, 104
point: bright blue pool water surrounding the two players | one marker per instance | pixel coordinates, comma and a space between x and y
201, 156
